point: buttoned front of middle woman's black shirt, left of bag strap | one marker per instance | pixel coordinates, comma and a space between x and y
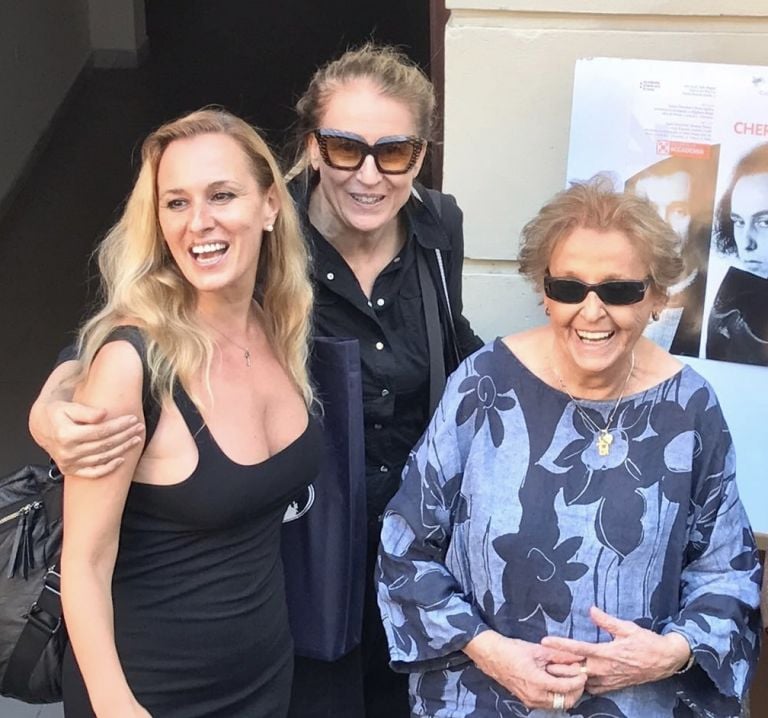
394, 359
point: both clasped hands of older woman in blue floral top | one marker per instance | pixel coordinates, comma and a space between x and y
557, 671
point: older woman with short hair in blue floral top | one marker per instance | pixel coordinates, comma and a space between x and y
568, 537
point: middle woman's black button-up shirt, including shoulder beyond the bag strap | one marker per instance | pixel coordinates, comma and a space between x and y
390, 328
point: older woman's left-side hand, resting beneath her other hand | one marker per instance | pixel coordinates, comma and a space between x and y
520, 667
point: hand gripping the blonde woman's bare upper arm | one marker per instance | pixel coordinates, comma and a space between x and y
82, 442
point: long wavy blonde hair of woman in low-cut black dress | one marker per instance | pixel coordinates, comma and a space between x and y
140, 282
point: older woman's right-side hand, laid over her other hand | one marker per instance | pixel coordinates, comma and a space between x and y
634, 656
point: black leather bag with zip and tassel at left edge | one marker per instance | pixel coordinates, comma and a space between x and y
32, 635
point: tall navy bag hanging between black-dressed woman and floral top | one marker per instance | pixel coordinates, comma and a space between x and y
323, 538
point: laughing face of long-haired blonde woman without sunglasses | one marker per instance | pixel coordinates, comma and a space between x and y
212, 212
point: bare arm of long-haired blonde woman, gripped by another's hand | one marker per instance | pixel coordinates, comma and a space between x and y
92, 516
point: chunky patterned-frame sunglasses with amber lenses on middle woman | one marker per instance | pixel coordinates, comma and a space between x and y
347, 151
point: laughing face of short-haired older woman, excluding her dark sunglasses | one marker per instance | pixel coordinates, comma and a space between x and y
593, 341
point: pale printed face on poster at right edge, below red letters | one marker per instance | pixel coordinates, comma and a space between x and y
749, 213
